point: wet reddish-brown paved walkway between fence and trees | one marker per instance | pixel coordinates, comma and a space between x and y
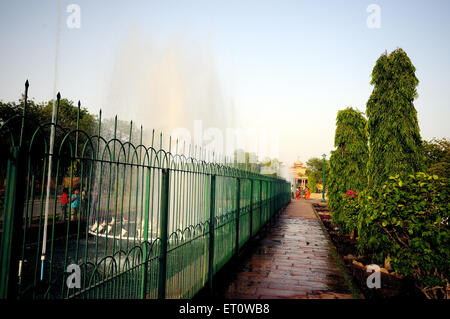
293, 261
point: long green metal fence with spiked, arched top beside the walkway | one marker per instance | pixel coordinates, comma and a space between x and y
149, 223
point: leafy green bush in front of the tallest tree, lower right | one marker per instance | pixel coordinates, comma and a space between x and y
407, 219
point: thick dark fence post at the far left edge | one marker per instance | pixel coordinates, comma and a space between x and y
12, 224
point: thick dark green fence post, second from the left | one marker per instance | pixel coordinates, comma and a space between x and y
163, 231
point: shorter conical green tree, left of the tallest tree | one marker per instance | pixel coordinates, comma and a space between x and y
348, 163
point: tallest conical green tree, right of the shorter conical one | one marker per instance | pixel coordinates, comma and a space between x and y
395, 145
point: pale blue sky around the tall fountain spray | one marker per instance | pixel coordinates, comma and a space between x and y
287, 65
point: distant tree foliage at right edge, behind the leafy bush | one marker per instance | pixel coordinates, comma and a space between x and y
437, 157
